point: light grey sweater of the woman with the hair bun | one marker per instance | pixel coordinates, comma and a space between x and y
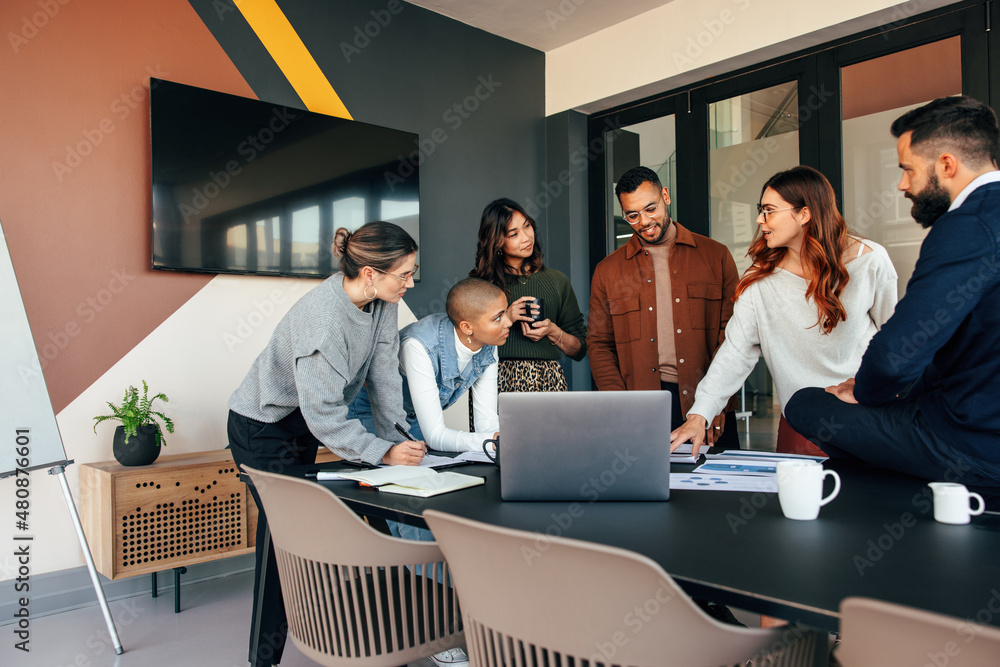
318, 357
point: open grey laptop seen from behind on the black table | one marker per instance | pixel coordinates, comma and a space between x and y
585, 446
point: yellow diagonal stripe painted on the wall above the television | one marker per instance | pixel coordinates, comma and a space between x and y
296, 63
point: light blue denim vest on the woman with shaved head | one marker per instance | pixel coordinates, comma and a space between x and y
437, 334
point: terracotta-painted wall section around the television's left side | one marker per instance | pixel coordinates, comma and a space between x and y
74, 170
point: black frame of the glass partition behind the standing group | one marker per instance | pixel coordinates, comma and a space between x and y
818, 71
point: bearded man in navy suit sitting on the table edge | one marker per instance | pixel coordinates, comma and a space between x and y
926, 400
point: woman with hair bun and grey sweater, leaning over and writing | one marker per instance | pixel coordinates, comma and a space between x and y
341, 335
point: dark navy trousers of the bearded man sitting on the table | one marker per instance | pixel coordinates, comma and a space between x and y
893, 436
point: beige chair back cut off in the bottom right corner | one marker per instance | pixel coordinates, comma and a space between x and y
873, 632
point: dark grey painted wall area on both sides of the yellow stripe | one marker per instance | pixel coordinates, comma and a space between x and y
476, 100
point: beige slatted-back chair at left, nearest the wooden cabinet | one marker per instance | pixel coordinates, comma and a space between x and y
351, 594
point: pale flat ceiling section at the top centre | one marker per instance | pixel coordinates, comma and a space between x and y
541, 24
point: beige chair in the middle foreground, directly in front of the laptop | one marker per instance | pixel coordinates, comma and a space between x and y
530, 599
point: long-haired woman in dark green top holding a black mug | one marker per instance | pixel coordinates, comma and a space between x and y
510, 257
